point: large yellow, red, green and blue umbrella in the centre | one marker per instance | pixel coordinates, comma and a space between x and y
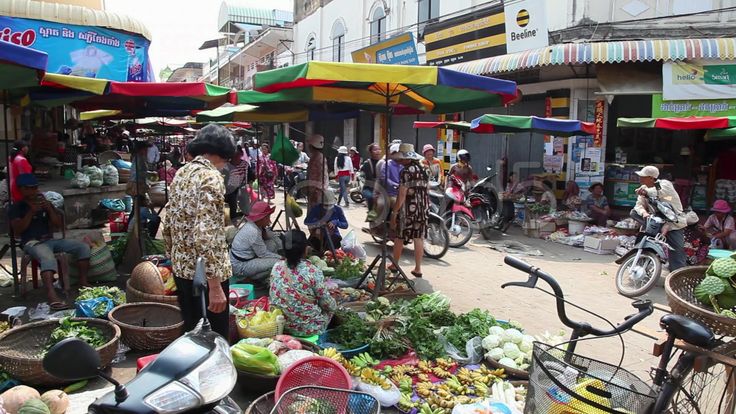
399, 88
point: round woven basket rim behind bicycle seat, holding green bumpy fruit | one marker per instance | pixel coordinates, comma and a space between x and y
679, 287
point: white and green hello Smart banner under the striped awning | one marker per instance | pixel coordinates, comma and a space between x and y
698, 79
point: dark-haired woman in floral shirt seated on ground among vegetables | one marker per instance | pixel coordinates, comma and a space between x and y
298, 289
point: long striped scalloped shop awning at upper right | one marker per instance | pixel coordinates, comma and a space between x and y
603, 52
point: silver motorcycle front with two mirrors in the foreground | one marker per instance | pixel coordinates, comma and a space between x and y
195, 373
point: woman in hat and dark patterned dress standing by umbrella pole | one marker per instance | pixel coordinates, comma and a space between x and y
411, 210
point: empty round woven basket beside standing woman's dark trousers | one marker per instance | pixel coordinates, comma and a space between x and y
147, 326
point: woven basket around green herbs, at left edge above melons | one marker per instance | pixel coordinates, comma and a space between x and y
21, 348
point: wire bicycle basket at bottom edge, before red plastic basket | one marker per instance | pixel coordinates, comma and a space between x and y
324, 400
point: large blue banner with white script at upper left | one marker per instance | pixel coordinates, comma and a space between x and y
88, 51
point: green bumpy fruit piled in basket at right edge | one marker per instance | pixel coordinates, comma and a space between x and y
717, 289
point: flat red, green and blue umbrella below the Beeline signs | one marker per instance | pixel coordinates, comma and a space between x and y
493, 123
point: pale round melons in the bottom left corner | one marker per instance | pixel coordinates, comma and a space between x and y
22, 399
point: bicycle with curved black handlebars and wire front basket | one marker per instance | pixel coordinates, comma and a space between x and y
559, 378
